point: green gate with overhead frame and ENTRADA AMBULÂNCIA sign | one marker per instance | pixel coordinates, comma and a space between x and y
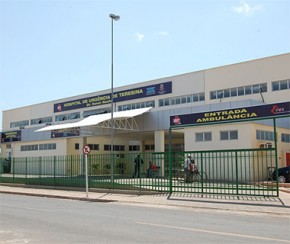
238, 172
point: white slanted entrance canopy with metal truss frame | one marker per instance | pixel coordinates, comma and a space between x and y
122, 120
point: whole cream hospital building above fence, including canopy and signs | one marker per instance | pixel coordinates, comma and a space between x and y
227, 107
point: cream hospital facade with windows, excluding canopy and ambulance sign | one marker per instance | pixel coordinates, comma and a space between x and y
257, 82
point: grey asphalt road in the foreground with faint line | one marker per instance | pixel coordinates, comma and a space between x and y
27, 219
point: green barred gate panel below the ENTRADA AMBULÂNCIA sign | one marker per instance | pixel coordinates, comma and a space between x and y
227, 172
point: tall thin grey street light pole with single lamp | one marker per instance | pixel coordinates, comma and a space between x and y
113, 18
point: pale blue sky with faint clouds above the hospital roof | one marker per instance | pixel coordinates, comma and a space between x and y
53, 49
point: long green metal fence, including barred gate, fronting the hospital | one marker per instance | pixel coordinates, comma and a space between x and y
230, 172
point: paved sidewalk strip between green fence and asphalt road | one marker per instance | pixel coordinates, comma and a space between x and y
247, 204
